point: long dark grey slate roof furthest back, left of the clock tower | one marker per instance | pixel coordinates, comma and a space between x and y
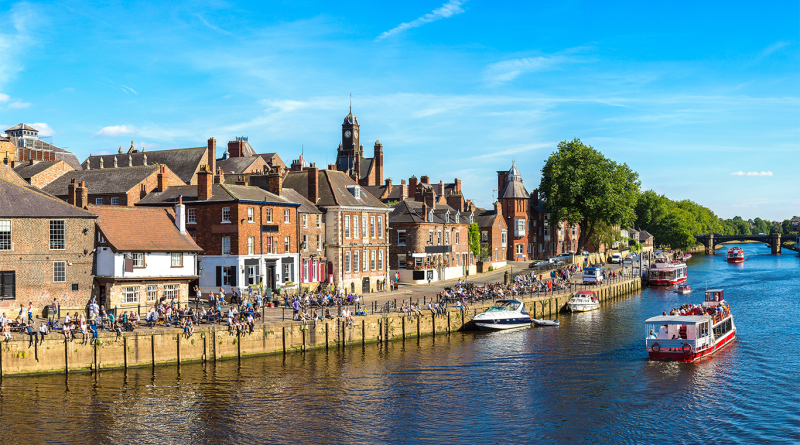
184, 162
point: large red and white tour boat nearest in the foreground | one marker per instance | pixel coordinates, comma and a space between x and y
703, 330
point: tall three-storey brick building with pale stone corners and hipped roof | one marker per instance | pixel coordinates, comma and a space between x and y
356, 223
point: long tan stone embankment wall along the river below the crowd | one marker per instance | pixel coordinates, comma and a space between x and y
170, 346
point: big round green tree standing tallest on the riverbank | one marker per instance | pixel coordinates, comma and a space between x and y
583, 187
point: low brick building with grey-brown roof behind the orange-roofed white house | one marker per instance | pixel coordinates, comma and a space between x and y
123, 186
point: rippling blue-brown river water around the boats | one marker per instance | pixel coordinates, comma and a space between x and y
586, 381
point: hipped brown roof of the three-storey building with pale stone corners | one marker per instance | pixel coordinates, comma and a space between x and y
333, 189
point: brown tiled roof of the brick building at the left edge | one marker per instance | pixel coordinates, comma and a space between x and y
17, 201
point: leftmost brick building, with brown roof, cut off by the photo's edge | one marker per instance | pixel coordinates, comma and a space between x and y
45, 250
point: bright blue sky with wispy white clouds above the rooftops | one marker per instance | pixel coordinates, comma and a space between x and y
701, 100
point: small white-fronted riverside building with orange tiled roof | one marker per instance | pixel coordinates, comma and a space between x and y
136, 268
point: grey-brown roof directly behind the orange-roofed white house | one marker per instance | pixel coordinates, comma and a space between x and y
102, 181
